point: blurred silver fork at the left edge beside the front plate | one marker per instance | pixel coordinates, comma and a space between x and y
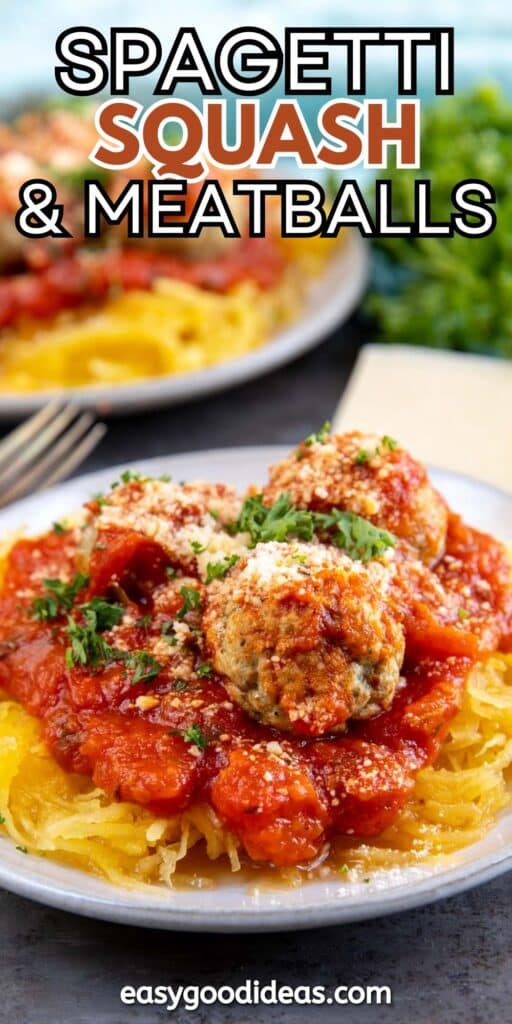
47, 449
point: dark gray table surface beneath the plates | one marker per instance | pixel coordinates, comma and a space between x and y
446, 964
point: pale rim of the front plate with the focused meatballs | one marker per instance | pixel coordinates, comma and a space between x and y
118, 909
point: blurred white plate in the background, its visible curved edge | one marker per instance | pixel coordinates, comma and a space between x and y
330, 302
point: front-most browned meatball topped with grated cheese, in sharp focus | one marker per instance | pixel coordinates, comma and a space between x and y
305, 637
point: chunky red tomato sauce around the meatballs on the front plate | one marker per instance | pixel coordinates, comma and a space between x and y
284, 808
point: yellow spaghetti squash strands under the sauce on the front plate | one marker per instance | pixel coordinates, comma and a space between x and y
55, 814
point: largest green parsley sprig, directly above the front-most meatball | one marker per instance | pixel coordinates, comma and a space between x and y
273, 524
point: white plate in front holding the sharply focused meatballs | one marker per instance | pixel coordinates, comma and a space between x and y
234, 908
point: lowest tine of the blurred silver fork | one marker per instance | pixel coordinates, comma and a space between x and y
60, 461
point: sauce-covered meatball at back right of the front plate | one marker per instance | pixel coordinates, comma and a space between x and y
371, 477
